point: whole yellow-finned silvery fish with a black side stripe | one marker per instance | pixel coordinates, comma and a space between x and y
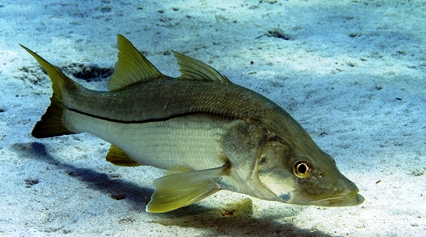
206, 132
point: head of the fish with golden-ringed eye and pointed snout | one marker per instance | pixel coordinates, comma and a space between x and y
302, 176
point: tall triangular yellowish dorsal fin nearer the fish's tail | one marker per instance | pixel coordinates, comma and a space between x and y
131, 67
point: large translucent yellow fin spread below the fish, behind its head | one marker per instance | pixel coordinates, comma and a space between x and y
182, 189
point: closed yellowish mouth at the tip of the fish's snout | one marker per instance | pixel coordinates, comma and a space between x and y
348, 199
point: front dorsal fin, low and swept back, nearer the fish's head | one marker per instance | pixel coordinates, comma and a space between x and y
193, 69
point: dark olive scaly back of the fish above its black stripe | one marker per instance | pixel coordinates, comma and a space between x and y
165, 98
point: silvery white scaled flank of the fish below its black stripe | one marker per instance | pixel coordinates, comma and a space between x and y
193, 141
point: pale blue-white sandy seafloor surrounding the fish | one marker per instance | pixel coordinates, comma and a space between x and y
351, 71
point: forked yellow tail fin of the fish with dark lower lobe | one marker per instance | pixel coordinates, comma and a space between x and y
51, 122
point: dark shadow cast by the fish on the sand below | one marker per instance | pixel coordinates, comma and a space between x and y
236, 219
